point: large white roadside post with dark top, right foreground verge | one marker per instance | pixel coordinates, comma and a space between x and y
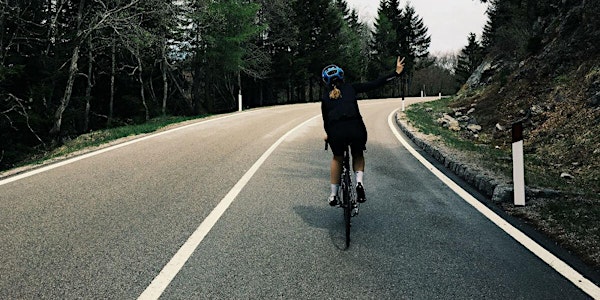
518, 165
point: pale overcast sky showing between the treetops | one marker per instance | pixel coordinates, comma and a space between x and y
449, 22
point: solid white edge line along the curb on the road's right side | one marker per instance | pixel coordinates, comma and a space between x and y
561, 267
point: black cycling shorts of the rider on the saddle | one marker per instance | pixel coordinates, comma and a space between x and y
349, 132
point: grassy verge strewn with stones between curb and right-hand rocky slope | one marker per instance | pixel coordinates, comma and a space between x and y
572, 219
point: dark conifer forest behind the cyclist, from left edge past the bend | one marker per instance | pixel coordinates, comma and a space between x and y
72, 67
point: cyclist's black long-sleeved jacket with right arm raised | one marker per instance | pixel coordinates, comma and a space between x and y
346, 108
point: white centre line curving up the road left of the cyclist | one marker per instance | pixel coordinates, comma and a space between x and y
170, 270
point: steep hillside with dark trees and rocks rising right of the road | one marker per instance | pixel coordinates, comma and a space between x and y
541, 67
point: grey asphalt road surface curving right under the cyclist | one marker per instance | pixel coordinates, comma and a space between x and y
103, 227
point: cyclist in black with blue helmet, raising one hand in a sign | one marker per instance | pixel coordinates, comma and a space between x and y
344, 125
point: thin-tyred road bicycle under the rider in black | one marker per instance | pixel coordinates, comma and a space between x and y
347, 194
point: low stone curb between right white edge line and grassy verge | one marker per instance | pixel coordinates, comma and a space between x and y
495, 189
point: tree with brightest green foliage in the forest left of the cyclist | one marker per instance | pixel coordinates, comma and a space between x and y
223, 30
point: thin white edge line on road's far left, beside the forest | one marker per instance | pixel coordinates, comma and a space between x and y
97, 152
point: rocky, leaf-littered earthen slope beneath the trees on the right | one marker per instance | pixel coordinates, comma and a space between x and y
555, 92
